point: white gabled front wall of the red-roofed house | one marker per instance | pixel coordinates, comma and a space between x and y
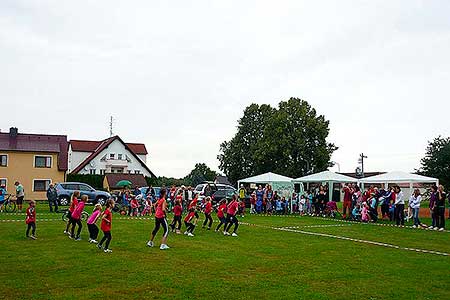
115, 147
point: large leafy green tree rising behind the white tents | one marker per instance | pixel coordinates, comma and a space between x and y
289, 140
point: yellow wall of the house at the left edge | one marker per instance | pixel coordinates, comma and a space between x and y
21, 168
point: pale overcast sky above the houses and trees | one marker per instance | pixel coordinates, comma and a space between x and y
176, 75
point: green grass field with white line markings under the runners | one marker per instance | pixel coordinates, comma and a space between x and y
262, 263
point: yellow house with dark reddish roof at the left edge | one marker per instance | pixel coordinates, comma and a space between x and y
34, 160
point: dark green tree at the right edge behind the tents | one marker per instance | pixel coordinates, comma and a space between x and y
436, 162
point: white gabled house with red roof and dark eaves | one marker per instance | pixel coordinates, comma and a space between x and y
111, 155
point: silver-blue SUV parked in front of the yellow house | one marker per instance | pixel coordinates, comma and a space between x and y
66, 189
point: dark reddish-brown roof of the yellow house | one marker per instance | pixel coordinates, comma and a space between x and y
25, 142
